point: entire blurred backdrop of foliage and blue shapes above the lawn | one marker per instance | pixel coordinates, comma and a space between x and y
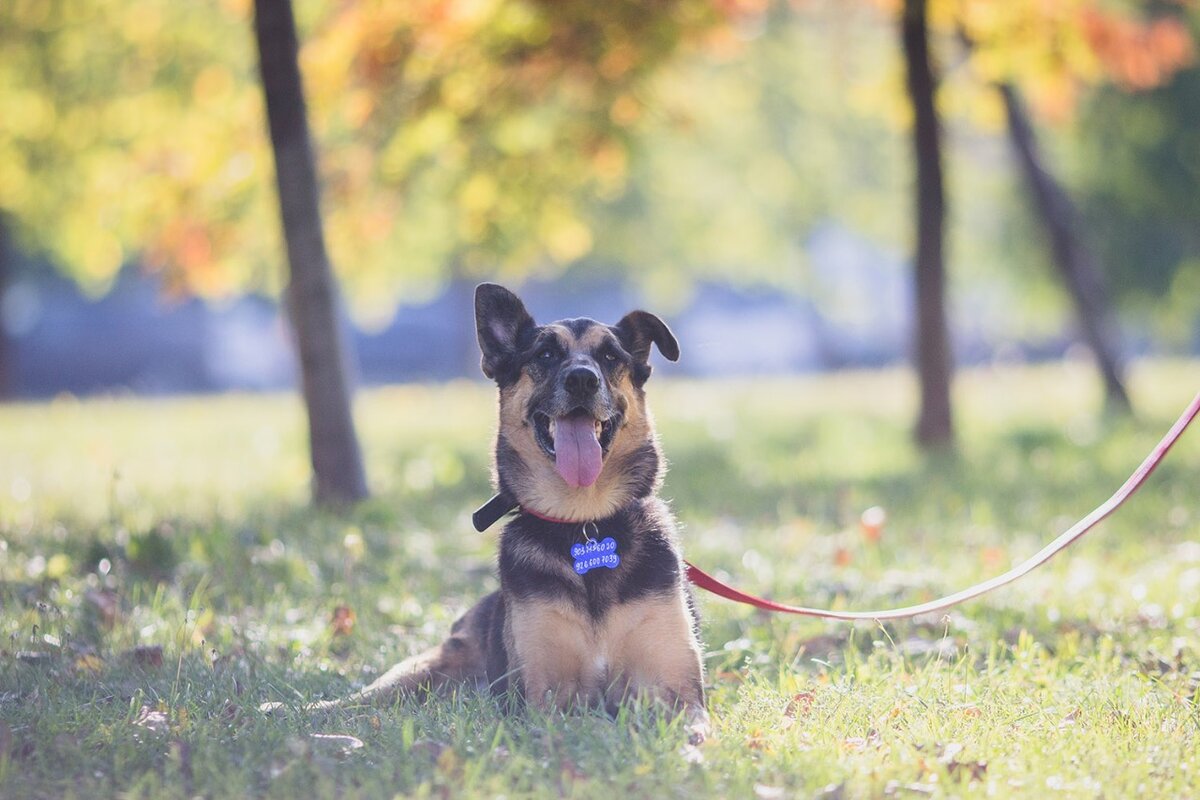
797, 187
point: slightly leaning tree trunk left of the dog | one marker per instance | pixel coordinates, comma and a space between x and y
313, 292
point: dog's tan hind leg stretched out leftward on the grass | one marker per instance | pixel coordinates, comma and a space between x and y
461, 659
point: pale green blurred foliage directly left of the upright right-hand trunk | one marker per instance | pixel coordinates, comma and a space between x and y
752, 140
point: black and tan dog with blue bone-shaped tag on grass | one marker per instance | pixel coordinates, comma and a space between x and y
593, 606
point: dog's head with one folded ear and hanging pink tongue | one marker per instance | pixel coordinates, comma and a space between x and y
575, 440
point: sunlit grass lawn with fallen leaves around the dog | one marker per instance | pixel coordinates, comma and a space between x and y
161, 575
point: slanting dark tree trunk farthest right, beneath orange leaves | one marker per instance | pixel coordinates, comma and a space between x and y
1077, 268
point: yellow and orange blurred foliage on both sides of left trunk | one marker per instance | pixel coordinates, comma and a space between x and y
451, 135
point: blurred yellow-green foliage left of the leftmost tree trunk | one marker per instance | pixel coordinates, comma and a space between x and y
134, 131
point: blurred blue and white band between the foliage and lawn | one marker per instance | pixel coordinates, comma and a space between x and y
856, 314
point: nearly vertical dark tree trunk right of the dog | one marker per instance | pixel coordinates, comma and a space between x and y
935, 426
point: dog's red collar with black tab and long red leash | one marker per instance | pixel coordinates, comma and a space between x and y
500, 506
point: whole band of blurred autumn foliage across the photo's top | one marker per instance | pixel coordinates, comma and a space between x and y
667, 143
